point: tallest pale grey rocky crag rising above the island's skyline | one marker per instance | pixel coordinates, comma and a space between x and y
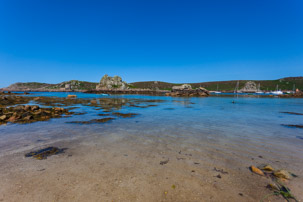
110, 83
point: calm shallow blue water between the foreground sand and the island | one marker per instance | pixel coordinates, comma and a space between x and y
249, 124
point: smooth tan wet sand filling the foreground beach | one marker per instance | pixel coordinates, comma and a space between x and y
111, 167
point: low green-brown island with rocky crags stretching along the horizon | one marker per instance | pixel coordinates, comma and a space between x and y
116, 83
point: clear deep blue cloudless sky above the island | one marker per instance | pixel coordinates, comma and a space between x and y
175, 41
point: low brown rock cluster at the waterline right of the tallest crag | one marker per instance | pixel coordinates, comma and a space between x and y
188, 92
